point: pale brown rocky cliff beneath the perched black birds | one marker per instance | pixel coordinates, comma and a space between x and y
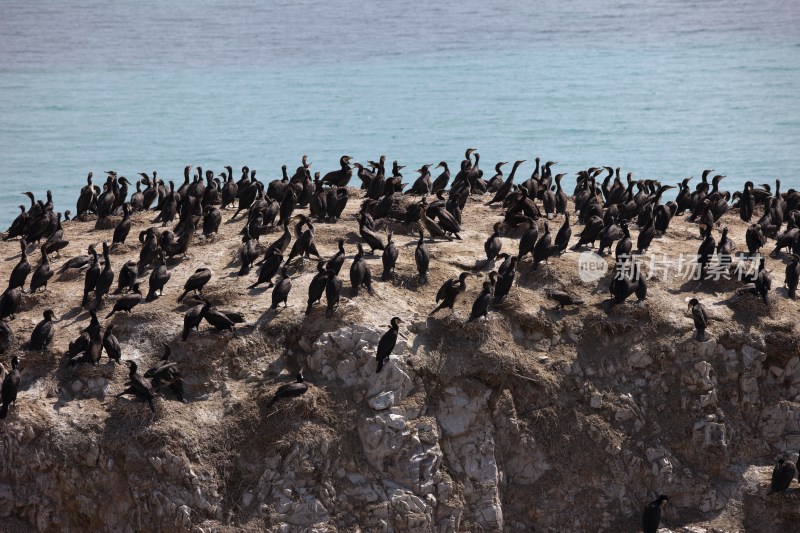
534, 419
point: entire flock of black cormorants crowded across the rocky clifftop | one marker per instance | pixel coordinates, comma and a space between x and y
606, 208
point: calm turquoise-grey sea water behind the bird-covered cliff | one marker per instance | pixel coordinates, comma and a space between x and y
662, 89
